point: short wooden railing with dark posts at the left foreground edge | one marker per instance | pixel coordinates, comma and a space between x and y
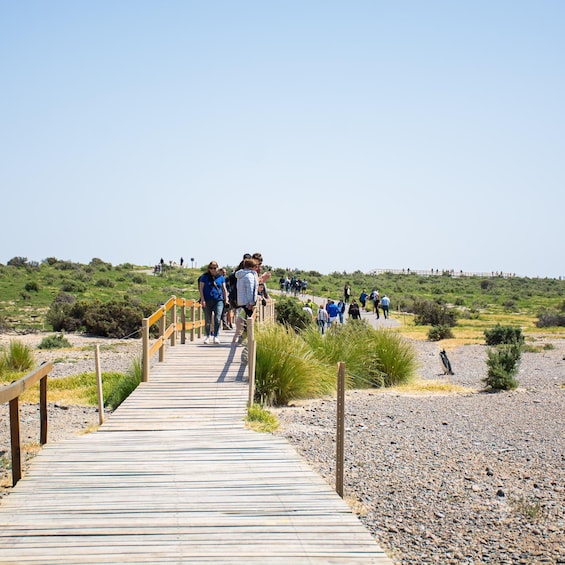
11, 393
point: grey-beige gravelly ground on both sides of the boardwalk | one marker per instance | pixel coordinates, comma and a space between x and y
464, 478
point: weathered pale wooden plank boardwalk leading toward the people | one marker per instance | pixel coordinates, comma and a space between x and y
174, 476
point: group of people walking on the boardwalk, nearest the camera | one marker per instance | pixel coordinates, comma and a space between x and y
228, 300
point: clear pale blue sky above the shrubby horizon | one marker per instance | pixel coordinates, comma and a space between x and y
328, 135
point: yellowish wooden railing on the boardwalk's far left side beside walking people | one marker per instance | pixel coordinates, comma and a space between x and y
191, 320
